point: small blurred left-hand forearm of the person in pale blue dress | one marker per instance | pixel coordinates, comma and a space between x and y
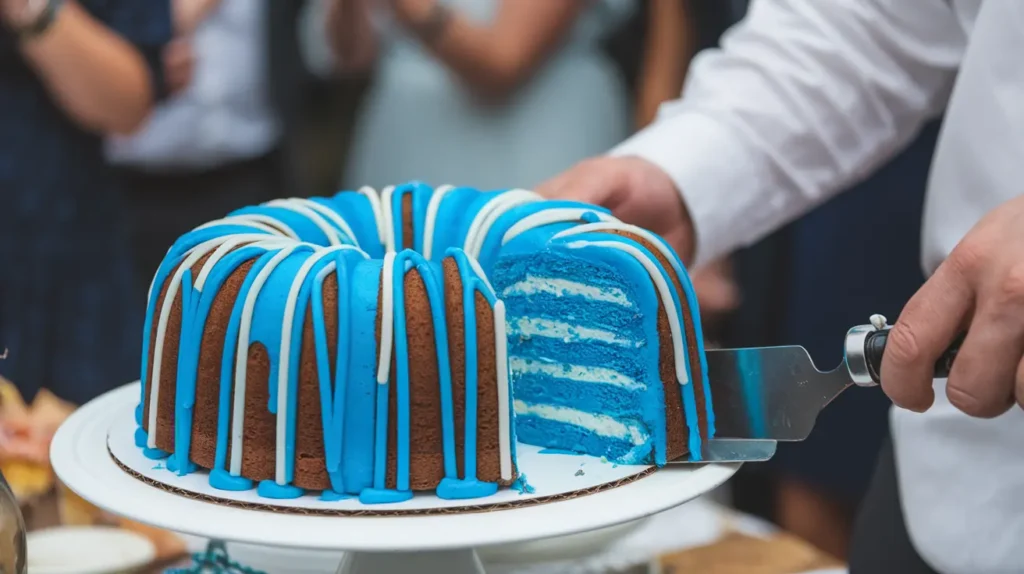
352, 34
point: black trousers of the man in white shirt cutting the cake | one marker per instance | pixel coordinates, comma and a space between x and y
881, 543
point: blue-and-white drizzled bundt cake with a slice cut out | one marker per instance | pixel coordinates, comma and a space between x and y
375, 345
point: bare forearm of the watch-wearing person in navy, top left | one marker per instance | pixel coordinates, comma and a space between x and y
96, 76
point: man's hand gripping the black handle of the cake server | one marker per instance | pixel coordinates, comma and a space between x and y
978, 289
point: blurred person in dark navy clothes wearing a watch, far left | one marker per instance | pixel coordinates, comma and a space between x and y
71, 72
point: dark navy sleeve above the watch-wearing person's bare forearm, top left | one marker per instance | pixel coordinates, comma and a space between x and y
146, 24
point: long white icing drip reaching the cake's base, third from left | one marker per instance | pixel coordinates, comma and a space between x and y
291, 304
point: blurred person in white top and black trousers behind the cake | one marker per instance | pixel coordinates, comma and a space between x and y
225, 141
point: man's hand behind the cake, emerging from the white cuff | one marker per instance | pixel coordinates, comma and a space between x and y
636, 192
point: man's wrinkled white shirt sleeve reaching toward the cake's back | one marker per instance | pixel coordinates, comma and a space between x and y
803, 100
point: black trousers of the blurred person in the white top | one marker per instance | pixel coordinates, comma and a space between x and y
163, 207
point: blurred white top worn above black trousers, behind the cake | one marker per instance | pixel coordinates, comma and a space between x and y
225, 115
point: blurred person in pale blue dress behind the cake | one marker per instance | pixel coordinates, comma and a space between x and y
487, 94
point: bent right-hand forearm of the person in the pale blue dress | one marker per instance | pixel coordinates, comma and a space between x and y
493, 60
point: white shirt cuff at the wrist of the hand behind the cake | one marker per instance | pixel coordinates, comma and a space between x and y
720, 179
